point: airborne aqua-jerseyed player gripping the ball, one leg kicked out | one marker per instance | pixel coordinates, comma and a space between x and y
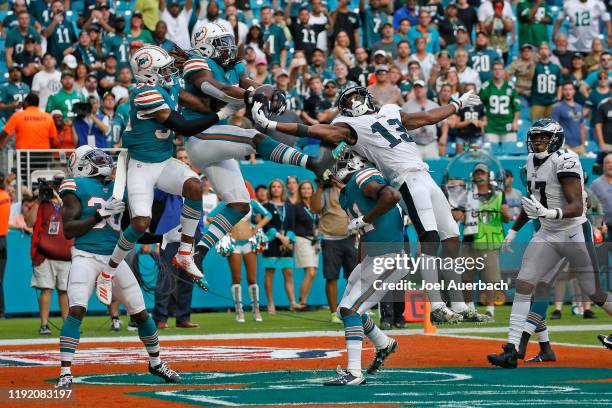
213, 72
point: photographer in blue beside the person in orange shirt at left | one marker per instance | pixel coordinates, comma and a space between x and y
88, 126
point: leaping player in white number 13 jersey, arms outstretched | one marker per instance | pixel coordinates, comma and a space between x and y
381, 136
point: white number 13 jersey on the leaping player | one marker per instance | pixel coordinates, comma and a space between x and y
383, 140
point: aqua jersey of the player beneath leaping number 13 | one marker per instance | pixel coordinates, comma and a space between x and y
386, 229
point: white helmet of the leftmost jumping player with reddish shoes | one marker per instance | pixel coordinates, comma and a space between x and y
153, 65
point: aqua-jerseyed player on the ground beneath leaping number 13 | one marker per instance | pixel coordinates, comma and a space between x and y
371, 202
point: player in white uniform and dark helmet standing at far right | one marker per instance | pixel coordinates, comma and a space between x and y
556, 184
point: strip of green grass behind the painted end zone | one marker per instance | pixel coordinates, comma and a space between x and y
570, 329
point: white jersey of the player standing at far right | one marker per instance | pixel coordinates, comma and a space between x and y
543, 183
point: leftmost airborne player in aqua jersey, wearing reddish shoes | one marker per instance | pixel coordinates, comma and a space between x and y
153, 119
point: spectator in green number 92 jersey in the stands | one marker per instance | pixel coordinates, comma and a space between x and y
502, 106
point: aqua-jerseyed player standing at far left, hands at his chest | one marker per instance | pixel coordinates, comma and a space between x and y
92, 218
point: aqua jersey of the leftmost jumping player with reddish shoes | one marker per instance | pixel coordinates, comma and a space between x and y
146, 139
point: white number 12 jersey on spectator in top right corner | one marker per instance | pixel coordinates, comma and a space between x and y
584, 22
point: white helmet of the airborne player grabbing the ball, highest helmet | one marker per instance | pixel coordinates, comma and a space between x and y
212, 40
